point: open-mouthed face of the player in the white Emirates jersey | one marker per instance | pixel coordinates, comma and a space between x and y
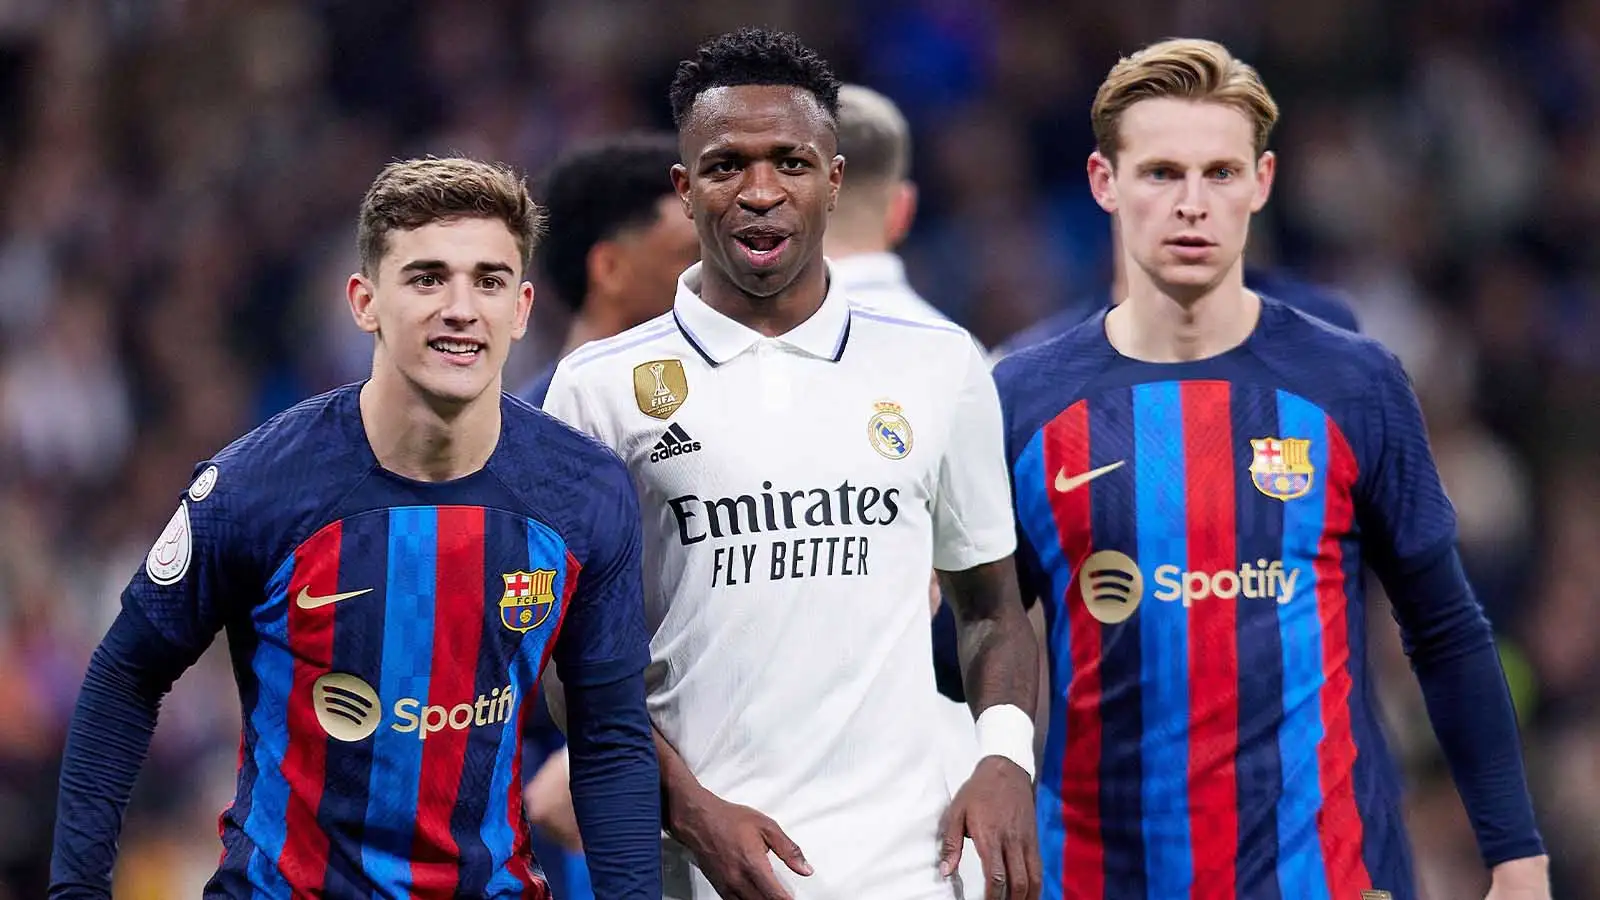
759, 179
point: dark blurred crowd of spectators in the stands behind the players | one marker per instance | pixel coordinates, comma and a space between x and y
182, 179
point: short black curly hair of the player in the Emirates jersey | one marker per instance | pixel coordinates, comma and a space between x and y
753, 57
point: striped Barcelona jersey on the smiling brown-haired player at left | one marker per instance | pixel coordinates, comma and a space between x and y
388, 638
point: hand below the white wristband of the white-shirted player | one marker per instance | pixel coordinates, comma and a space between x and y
996, 810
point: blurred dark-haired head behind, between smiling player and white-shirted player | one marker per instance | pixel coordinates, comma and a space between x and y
618, 239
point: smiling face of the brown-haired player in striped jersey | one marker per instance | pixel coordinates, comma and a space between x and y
446, 303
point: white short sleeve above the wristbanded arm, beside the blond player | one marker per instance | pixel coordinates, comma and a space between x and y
972, 512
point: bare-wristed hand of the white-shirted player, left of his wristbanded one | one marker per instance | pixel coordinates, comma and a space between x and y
730, 846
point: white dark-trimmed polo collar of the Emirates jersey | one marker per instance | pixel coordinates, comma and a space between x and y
719, 339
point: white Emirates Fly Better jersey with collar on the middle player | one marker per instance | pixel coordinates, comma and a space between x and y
796, 494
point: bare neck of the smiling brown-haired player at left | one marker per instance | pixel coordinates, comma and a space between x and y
423, 441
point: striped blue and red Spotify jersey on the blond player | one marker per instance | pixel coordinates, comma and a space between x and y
1198, 536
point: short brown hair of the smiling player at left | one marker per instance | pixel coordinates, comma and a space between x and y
415, 193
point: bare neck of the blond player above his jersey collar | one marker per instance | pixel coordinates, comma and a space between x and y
1153, 326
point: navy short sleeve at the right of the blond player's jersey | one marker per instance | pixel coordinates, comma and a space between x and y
1404, 513
